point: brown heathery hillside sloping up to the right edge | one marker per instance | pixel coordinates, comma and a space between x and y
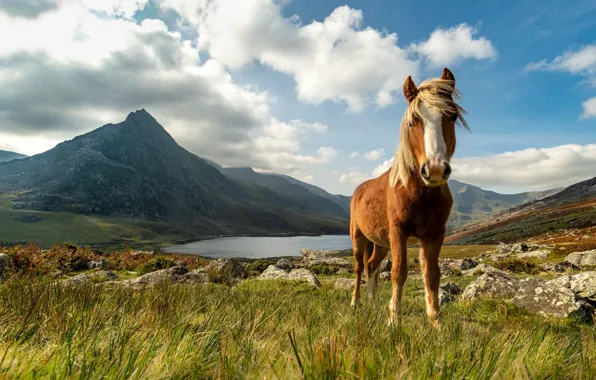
571, 208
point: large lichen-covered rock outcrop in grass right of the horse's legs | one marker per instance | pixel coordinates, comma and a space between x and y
546, 298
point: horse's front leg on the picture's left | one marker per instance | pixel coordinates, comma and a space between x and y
399, 271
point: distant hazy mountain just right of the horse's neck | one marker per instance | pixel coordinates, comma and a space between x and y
472, 203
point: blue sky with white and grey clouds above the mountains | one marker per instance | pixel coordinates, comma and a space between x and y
310, 88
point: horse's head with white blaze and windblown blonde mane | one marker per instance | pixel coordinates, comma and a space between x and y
428, 129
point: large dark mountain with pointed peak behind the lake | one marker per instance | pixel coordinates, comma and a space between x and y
135, 170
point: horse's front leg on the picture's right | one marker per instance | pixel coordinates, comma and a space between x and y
430, 248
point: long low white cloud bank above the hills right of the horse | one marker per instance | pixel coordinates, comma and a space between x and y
528, 169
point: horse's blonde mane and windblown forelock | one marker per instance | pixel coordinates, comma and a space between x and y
434, 93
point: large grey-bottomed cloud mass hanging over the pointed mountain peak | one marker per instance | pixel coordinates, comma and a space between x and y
73, 69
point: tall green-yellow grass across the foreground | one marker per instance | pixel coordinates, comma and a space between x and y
267, 329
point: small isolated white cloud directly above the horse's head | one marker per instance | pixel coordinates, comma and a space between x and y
446, 47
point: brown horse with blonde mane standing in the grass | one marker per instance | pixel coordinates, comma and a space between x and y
412, 199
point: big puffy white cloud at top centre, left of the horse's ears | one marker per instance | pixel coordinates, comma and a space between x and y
337, 59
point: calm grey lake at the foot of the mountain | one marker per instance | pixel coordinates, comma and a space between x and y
261, 247
